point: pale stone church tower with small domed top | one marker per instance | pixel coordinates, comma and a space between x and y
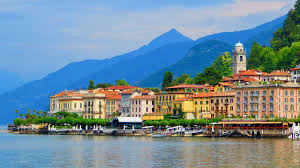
239, 58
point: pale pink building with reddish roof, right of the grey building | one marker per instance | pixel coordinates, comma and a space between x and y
141, 105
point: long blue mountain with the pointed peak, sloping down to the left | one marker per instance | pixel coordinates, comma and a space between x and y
35, 94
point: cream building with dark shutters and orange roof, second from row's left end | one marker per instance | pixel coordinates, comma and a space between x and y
94, 103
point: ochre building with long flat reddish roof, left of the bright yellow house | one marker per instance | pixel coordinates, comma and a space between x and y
163, 101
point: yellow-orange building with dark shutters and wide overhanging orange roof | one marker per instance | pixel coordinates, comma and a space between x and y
202, 105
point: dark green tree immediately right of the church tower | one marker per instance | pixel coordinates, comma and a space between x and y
253, 60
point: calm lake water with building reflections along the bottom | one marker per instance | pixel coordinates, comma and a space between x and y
103, 151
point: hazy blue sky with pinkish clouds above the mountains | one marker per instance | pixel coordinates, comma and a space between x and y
38, 37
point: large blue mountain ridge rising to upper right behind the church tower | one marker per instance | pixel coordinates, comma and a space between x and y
206, 50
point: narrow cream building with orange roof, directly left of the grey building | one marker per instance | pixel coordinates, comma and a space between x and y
112, 106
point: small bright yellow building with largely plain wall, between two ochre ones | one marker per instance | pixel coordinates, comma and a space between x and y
184, 106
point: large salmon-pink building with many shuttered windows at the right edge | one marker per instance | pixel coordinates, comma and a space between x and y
270, 100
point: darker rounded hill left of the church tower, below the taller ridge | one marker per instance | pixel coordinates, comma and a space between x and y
196, 60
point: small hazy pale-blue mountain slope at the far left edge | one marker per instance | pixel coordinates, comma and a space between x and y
9, 81
